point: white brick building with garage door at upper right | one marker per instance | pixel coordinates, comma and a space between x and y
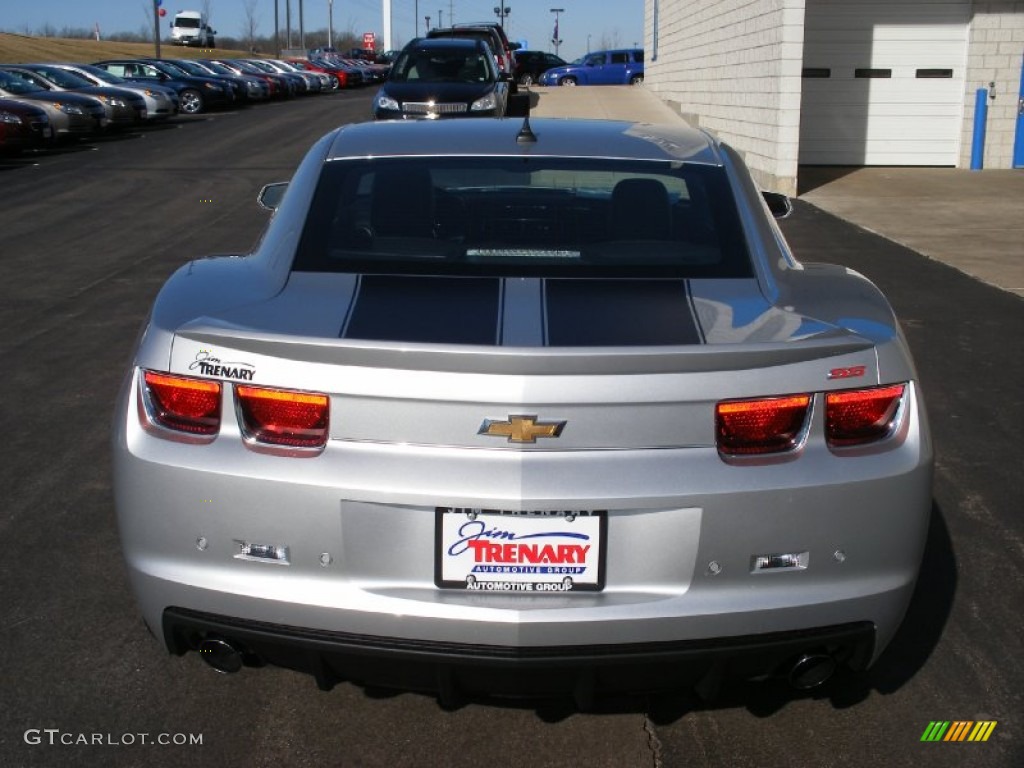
842, 82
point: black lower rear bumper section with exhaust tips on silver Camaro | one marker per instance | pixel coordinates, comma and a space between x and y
464, 668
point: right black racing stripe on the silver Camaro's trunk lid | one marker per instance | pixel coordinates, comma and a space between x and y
619, 313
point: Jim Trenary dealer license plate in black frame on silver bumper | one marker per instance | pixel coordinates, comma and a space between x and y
548, 552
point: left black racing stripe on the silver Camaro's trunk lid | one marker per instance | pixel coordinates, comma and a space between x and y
438, 311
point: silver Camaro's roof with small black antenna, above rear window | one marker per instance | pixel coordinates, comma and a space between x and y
554, 137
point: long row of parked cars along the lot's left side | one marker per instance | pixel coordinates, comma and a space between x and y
45, 103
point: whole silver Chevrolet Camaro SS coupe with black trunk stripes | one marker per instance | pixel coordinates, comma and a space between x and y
505, 405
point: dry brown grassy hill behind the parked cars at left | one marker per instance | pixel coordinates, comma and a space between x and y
22, 49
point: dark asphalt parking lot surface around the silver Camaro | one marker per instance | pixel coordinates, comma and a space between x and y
91, 234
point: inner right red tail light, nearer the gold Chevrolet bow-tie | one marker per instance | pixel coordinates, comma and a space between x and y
770, 425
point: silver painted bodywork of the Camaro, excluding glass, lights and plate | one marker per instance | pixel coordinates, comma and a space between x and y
684, 526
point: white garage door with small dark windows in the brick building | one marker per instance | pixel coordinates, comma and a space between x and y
883, 82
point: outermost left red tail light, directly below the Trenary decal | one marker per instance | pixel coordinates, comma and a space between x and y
183, 404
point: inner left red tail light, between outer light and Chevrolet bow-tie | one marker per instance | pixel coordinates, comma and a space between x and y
281, 417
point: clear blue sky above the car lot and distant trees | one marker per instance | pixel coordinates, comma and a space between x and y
609, 22
